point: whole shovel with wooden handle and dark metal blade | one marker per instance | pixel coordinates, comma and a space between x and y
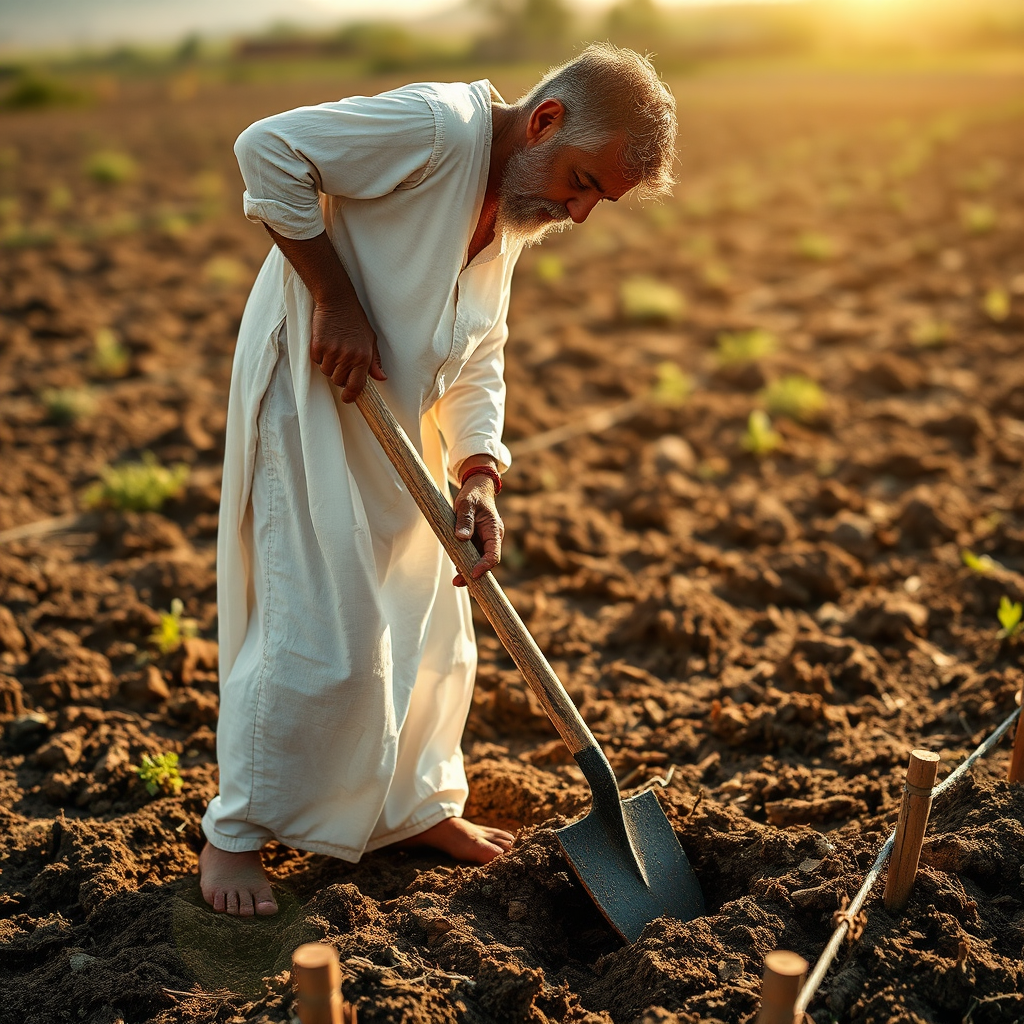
624, 851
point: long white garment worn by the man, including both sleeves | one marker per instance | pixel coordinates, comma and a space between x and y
347, 656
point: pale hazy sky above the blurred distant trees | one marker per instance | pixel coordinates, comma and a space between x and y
45, 24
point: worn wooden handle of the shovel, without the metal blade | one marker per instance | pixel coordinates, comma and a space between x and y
509, 627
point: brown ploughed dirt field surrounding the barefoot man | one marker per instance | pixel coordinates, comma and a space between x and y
780, 628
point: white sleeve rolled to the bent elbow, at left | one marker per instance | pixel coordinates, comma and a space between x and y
359, 148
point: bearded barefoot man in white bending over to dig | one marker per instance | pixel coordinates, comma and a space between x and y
347, 659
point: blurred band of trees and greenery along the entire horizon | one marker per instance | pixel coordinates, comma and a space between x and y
486, 32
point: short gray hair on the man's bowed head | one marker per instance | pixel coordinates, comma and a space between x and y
609, 91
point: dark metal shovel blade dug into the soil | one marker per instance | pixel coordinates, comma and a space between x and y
611, 873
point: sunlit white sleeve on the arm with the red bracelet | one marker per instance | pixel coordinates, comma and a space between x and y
472, 413
